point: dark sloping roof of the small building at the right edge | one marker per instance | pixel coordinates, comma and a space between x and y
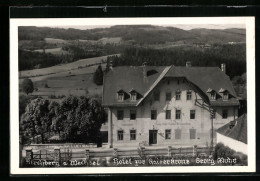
236, 129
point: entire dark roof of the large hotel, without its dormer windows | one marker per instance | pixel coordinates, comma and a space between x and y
132, 78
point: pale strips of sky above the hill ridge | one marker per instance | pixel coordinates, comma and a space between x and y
182, 26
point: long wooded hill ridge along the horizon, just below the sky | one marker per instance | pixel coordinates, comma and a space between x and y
140, 34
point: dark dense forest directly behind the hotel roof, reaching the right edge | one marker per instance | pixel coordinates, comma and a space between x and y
234, 56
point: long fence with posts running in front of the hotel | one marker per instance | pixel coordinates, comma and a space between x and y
64, 154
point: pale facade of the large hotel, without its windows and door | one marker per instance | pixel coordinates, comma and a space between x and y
143, 122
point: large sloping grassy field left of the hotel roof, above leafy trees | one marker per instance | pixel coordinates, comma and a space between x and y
69, 79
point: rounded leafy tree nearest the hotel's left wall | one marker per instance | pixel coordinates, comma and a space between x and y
84, 117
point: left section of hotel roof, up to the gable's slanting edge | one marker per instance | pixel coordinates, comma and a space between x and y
128, 78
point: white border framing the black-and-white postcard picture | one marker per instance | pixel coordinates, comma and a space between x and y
14, 98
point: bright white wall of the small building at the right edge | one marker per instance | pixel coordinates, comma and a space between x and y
231, 143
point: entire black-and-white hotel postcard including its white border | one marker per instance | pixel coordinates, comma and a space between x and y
132, 95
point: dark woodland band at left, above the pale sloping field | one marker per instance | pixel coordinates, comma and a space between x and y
30, 60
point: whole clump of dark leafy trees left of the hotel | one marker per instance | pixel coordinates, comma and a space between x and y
75, 119
